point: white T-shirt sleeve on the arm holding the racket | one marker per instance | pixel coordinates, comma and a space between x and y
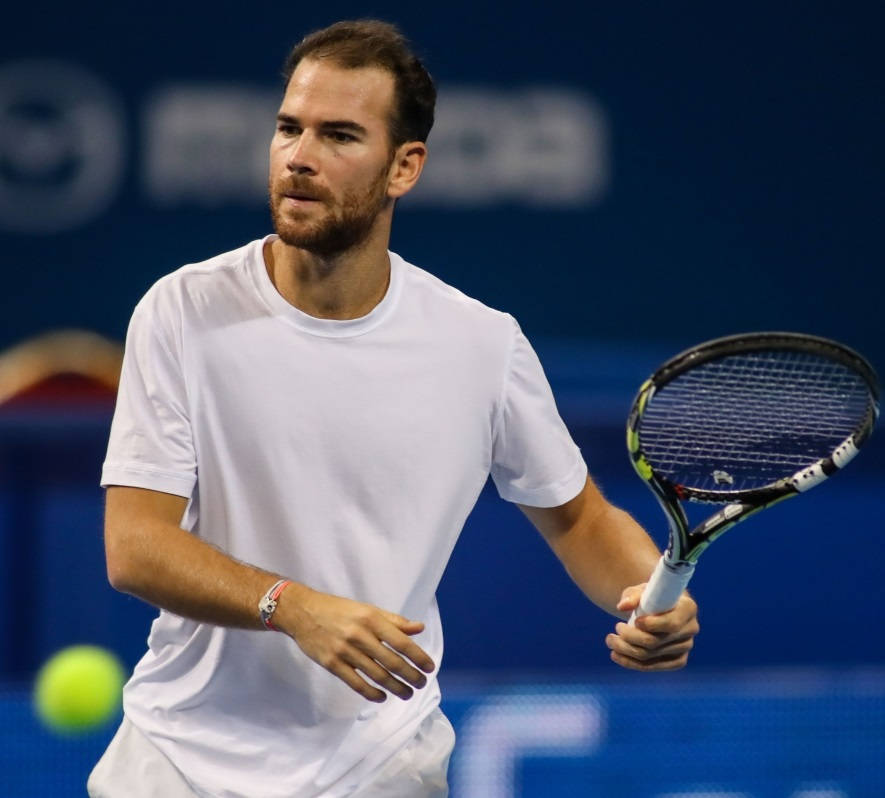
534, 459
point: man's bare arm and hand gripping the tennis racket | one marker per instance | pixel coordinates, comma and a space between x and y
610, 557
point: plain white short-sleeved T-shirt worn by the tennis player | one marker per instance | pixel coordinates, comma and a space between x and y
343, 454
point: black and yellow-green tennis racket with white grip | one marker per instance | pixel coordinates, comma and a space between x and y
745, 422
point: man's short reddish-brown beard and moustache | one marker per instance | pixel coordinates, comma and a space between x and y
345, 224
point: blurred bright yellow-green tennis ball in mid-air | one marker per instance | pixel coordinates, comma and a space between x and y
78, 689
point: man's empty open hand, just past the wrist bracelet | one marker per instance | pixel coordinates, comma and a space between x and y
351, 640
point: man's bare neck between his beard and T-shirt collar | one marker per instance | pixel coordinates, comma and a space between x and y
343, 287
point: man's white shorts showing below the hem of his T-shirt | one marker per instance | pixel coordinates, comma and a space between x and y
133, 767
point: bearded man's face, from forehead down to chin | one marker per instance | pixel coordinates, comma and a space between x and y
330, 157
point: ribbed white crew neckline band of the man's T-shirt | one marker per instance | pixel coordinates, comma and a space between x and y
326, 328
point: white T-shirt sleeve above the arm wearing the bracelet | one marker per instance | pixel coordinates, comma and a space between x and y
151, 442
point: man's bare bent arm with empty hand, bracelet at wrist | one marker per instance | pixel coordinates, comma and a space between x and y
151, 557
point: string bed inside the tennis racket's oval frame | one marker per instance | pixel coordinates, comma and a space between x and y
747, 420
